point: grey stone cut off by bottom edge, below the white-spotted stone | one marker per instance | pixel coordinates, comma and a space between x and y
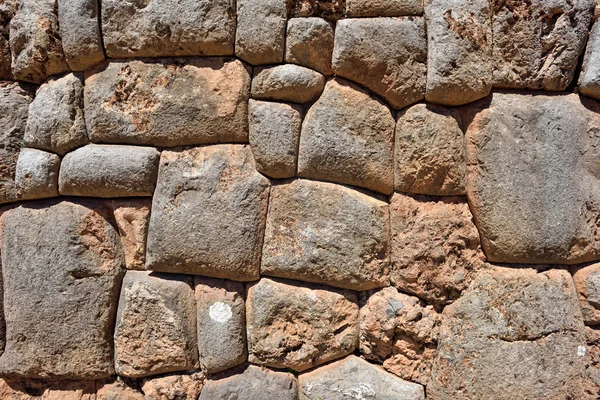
254, 383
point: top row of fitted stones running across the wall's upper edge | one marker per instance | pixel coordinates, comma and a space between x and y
468, 47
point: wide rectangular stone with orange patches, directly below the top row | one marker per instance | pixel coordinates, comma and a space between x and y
169, 102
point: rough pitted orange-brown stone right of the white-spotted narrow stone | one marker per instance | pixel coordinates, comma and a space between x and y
299, 327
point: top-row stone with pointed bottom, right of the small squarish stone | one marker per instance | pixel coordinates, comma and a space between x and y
387, 55
